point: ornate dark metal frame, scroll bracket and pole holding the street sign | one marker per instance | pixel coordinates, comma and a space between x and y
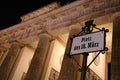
87, 29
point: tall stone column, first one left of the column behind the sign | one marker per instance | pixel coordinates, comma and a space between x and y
38, 60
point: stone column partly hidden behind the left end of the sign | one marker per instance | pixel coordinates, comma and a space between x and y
69, 68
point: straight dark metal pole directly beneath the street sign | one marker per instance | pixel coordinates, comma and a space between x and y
84, 66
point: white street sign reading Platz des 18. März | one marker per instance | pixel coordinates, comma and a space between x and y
88, 43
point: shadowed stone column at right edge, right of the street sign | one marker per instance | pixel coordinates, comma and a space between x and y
115, 60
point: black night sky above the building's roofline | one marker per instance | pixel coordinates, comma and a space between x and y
11, 10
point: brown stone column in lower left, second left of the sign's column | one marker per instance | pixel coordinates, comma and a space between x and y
9, 61
